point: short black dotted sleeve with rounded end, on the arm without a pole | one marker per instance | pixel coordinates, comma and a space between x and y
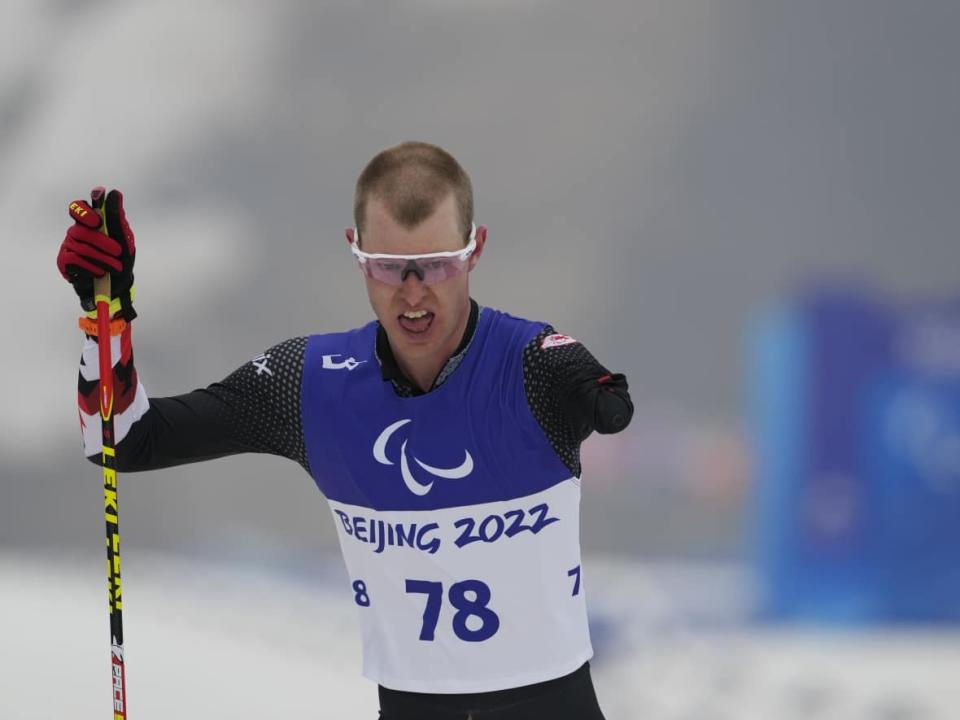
571, 394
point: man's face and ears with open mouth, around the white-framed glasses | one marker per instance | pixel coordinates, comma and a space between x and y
424, 323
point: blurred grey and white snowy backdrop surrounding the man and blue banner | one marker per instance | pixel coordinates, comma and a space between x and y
651, 172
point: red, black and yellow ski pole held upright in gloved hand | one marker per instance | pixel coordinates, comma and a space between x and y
101, 293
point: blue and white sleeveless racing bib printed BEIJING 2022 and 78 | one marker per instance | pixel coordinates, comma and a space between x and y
458, 523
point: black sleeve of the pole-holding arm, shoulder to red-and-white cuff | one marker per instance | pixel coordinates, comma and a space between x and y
255, 409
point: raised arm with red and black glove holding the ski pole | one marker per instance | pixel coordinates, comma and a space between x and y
255, 409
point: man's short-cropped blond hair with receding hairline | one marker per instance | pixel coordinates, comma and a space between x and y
412, 179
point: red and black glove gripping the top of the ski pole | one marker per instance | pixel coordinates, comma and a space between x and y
90, 249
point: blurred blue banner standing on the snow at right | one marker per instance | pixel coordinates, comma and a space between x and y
856, 413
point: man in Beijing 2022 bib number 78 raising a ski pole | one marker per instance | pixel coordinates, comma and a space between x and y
445, 437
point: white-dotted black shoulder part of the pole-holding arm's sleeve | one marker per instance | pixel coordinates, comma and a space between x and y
263, 398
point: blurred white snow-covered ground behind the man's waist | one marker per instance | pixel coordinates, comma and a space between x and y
216, 639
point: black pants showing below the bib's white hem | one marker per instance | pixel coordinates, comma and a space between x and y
570, 697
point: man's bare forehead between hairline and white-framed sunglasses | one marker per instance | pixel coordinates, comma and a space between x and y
383, 234
